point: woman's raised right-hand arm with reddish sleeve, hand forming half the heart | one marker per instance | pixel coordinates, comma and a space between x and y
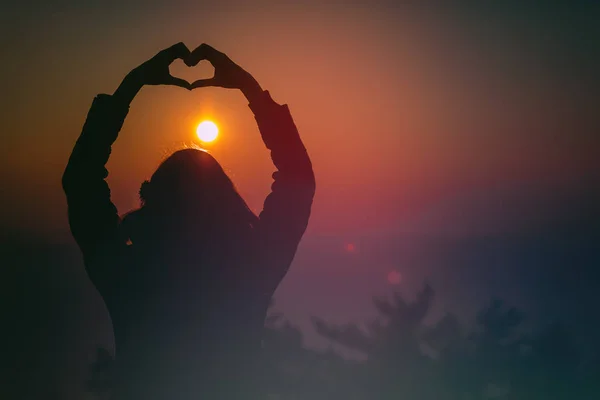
286, 211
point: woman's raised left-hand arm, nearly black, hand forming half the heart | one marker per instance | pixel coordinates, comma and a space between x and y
93, 218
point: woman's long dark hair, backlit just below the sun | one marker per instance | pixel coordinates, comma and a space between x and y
189, 196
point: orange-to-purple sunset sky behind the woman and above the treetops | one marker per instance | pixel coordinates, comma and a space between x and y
458, 145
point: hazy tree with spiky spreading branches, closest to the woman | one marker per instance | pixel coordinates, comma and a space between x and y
397, 362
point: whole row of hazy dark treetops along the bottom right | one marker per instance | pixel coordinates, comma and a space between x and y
496, 358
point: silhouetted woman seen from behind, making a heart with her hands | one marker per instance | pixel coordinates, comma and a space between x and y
188, 277
